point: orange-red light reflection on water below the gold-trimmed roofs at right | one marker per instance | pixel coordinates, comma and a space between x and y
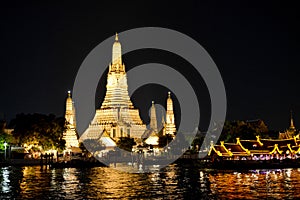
273, 184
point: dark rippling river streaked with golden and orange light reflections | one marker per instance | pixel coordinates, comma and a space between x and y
173, 182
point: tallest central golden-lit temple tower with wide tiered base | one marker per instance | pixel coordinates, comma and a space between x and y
117, 115
